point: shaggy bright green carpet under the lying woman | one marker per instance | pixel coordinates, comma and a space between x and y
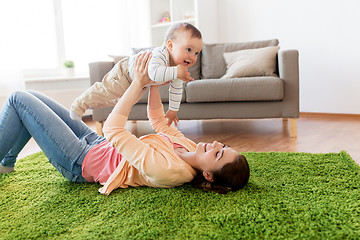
289, 196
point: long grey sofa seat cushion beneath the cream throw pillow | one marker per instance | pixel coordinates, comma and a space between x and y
265, 88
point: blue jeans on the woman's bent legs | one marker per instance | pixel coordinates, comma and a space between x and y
64, 141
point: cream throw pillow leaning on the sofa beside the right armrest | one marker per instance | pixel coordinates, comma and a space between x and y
251, 62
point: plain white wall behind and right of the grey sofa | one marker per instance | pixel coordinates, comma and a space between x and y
326, 33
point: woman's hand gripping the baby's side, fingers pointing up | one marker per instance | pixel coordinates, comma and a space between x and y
141, 76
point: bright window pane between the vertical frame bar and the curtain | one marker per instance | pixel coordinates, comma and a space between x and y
93, 29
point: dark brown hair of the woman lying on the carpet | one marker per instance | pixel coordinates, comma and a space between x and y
231, 177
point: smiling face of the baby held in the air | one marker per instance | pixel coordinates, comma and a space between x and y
185, 49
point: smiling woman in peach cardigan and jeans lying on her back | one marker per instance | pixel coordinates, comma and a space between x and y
166, 159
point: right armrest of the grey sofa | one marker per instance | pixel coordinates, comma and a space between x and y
288, 63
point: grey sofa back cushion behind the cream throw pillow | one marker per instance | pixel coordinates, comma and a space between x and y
212, 61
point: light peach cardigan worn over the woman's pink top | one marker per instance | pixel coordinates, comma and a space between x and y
149, 160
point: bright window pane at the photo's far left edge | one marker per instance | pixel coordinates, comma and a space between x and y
29, 33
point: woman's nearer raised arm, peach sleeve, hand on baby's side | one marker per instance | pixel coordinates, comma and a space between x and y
139, 154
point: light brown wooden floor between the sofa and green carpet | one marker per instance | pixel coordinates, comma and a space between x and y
317, 133
